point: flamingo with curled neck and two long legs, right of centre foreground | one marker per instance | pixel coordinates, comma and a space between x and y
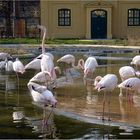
107, 84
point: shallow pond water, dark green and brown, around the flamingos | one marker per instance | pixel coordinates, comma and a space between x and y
79, 110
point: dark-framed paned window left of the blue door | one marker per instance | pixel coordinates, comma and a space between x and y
64, 17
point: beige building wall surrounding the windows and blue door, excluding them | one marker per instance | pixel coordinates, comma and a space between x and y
80, 17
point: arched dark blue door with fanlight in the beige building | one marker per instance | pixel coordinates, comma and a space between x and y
98, 24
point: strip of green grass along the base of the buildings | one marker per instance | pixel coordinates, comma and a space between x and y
62, 41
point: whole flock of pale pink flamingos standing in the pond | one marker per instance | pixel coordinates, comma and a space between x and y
41, 84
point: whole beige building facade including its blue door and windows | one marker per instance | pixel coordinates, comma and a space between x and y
91, 19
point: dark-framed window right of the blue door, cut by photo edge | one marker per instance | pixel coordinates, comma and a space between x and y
134, 17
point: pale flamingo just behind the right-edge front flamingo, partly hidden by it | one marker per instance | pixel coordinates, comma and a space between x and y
125, 73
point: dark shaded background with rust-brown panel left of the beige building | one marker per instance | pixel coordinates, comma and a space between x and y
18, 18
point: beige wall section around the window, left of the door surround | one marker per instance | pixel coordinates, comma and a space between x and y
77, 28
